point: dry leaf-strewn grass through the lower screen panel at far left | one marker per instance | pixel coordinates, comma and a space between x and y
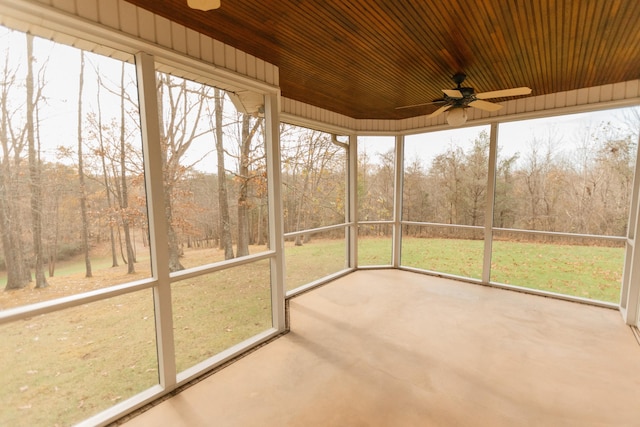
65, 366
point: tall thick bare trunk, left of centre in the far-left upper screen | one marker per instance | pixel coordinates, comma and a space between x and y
34, 173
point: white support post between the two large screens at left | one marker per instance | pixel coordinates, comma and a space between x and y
150, 128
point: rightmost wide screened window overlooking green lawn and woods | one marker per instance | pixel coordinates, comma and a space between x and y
571, 175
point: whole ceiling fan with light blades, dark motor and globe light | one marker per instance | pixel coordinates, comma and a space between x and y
457, 100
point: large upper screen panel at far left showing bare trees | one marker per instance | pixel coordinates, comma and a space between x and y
73, 214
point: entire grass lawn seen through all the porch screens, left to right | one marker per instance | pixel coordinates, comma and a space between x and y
68, 365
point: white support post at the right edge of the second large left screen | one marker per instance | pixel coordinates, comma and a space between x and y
276, 221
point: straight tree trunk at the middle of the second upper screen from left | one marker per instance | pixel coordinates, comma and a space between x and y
223, 201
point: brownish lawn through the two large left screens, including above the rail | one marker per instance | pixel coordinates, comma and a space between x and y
69, 365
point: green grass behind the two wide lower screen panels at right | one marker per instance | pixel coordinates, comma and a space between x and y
592, 272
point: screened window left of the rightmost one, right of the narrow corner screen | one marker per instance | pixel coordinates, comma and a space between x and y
444, 197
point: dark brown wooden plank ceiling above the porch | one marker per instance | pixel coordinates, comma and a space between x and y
365, 58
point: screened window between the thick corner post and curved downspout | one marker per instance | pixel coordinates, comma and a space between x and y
314, 197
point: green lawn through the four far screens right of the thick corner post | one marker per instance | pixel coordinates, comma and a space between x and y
585, 271
